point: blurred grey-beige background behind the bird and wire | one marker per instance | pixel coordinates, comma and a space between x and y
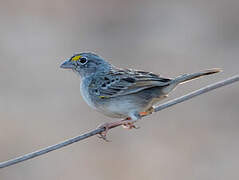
40, 104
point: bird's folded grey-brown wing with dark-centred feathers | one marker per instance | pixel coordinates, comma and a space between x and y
120, 82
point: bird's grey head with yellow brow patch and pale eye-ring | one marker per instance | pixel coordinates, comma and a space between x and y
86, 64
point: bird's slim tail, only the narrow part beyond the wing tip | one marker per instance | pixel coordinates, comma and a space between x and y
188, 77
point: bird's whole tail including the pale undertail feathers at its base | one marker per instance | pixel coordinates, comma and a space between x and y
187, 77
